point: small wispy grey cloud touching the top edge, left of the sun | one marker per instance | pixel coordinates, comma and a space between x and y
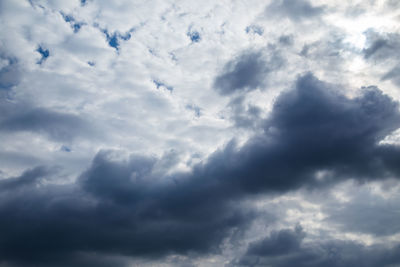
295, 10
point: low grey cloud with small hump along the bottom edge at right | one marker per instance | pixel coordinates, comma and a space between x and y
287, 248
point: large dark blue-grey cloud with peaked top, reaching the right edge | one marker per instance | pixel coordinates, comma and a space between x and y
312, 128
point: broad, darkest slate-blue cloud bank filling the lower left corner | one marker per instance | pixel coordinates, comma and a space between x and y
114, 209
